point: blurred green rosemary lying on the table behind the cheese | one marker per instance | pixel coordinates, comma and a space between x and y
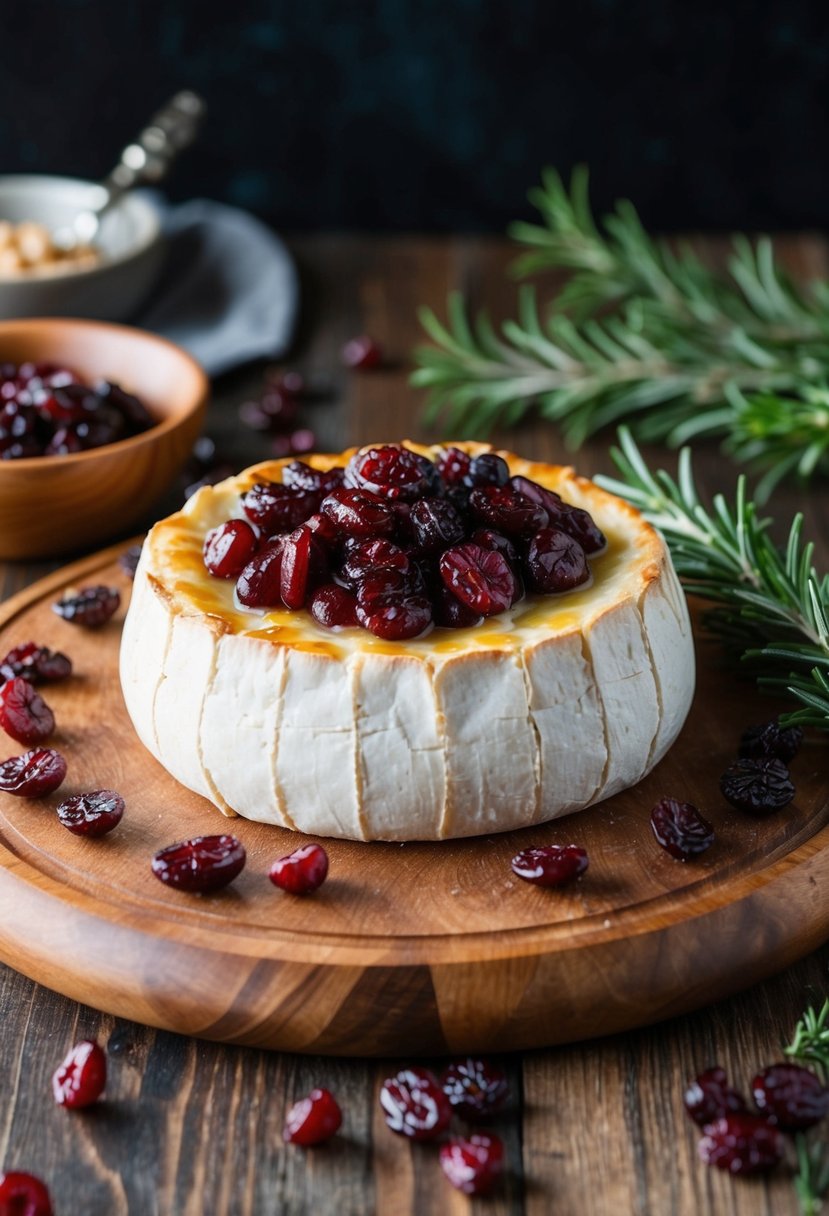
645, 334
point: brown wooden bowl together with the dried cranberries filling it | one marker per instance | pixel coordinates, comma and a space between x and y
97, 421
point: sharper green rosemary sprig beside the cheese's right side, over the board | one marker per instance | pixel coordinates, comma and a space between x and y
771, 605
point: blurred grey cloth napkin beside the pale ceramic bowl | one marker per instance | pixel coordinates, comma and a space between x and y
229, 291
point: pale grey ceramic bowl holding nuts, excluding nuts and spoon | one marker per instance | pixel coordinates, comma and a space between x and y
131, 241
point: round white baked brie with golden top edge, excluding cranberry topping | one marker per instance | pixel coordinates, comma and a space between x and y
539, 712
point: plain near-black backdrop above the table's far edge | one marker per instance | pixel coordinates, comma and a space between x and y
438, 115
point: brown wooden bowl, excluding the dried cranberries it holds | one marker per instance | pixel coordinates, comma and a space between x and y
53, 505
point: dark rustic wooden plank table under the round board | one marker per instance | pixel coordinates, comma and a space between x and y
194, 1129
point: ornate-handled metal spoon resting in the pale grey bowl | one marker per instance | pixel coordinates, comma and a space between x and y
144, 162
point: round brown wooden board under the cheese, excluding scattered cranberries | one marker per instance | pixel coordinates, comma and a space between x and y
415, 948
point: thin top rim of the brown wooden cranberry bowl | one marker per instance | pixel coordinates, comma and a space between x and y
201, 380
